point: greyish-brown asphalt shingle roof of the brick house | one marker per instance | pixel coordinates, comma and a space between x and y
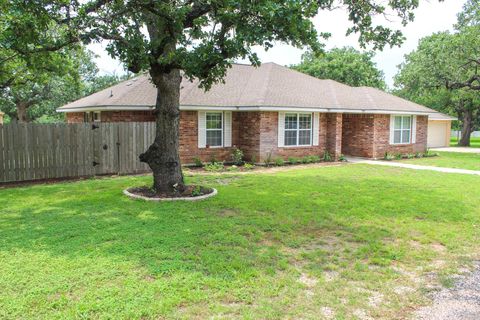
269, 86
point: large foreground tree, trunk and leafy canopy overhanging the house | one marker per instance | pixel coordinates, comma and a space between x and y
201, 39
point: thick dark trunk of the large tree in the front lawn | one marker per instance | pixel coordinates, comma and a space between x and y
162, 156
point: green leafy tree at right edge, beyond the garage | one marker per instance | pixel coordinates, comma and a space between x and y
443, 74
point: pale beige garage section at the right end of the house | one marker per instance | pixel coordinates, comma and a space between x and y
439, 129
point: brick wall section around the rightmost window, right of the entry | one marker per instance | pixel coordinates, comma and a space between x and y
382, 137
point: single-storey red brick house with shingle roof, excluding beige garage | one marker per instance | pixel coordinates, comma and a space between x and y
270, 110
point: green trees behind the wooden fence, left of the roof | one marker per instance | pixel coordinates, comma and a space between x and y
36, 96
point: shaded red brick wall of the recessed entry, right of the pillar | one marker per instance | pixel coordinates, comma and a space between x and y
357, 134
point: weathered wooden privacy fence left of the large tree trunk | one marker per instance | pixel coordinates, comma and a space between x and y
45, 151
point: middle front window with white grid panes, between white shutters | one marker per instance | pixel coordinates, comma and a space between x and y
298, 129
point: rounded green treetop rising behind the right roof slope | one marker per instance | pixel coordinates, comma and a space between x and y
346, 65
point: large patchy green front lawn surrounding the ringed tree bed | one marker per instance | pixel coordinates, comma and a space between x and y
347, 241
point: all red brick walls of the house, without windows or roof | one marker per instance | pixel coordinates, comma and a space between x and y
256, 133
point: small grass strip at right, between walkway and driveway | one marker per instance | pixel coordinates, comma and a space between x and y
470, 161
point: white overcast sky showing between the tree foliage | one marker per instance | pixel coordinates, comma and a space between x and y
430, 17
